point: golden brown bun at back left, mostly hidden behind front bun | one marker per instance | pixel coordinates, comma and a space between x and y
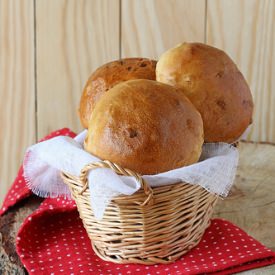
107, 76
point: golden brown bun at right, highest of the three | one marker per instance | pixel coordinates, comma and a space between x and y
213, 83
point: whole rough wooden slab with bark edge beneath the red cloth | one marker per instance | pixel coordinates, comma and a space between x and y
251, 206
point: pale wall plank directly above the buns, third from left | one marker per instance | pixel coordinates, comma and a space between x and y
149, 27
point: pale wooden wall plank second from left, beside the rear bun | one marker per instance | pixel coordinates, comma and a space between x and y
73, 39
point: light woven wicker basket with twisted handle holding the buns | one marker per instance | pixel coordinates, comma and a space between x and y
151, 226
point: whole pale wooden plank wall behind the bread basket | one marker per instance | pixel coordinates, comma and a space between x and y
48, 48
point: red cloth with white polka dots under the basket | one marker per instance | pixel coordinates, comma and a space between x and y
52, 240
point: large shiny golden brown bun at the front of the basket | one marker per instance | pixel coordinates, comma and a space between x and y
145, 126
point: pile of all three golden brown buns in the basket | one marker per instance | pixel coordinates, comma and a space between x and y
153, 117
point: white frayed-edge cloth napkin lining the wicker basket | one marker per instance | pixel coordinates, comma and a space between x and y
45, 160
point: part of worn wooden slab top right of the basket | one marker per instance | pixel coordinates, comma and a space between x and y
251, 203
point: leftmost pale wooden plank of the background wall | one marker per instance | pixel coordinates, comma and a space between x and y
17, 111
